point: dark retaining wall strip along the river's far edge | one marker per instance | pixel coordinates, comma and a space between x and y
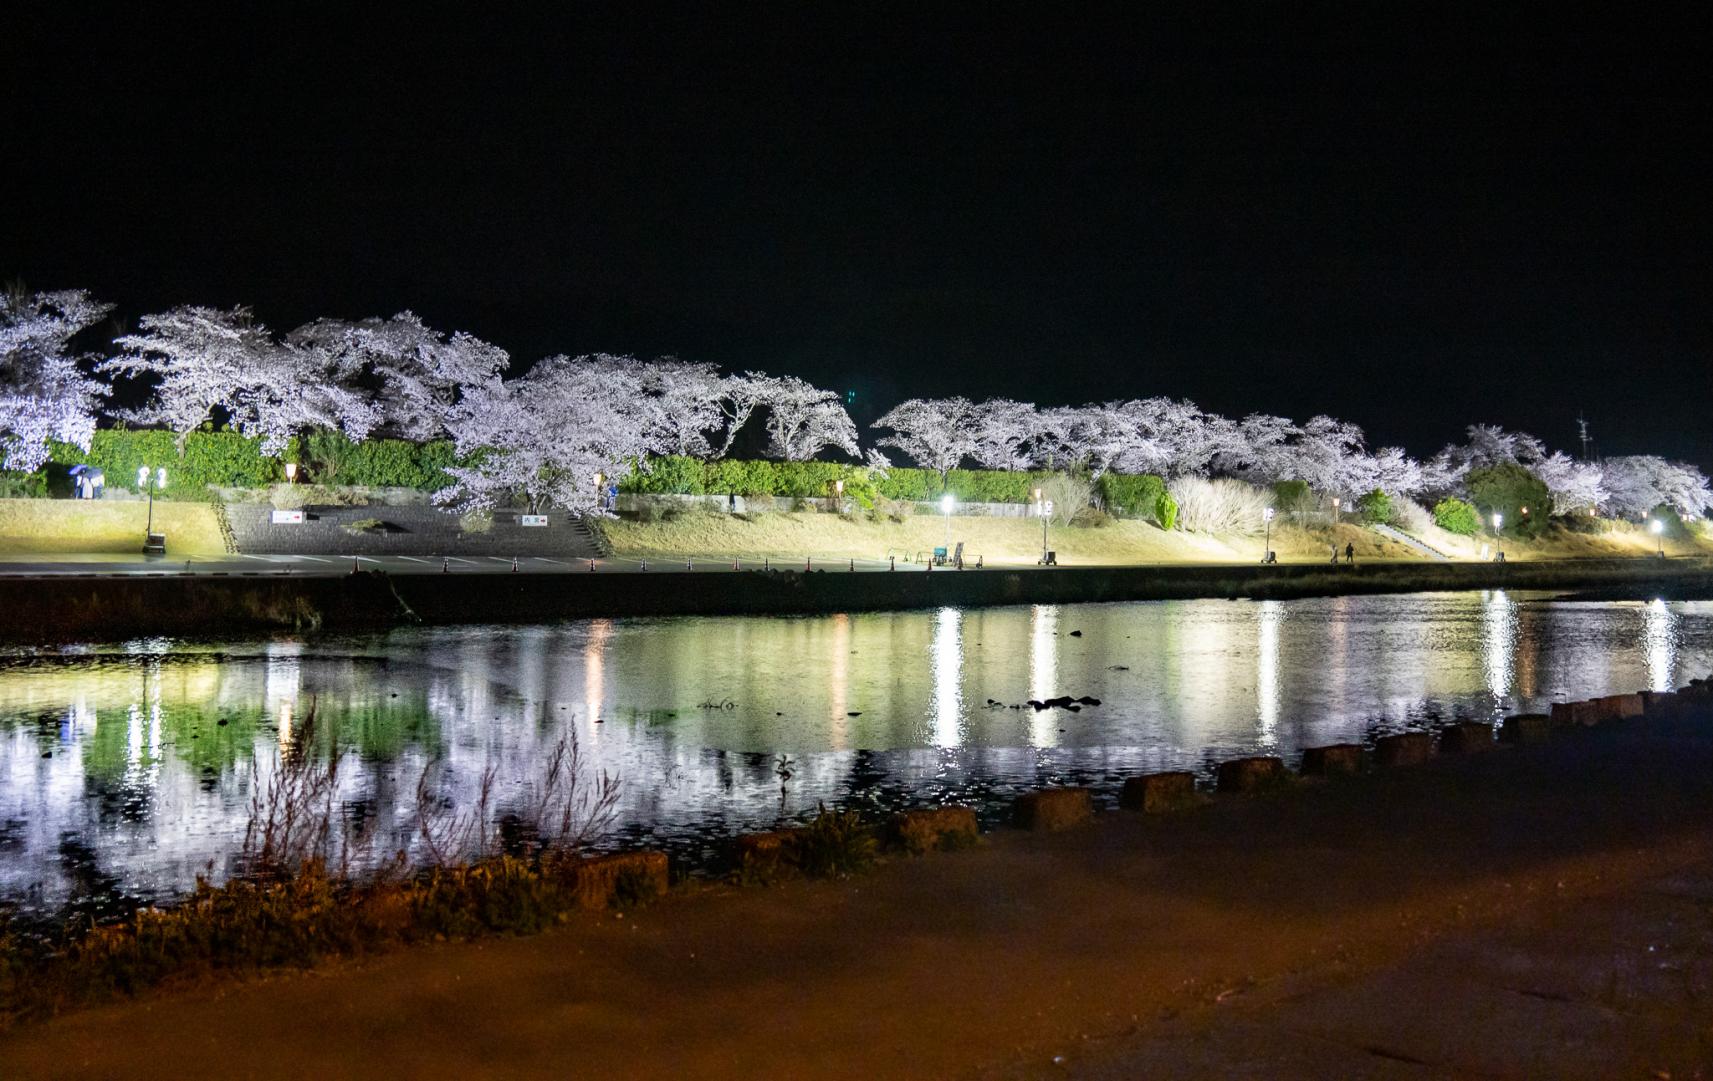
61, 609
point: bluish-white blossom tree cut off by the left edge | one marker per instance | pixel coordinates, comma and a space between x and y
44, 393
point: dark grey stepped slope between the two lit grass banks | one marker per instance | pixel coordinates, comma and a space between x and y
424, 532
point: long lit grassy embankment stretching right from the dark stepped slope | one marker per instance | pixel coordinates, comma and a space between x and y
1005, 540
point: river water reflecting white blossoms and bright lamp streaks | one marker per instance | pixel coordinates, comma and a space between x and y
126, 770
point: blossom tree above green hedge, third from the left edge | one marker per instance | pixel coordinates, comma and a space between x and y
409, 374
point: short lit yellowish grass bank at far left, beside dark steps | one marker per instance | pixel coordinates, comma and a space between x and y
63, 527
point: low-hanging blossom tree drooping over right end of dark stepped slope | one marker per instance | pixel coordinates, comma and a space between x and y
542, 439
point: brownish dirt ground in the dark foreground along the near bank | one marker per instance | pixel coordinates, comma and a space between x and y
1537, 912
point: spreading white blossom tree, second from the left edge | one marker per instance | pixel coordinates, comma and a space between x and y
208, 359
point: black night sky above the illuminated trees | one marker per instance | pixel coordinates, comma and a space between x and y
1409, 222
